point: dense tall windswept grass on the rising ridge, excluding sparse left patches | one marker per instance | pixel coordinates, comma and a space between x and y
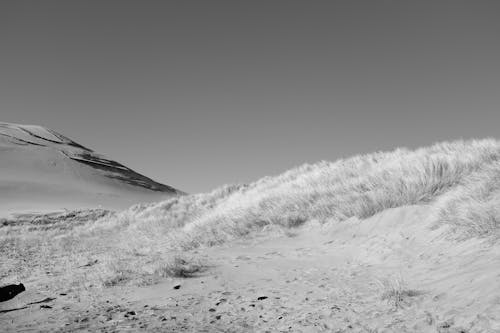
464, 171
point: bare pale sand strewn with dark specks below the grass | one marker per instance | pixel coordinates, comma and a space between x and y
334, 278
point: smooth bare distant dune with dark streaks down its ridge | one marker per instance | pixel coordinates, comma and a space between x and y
41, 170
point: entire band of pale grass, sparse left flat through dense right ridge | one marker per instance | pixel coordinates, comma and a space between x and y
459, 180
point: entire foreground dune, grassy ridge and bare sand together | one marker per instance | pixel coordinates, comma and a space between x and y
401, 241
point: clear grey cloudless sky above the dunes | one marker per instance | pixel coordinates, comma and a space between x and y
197, 94
